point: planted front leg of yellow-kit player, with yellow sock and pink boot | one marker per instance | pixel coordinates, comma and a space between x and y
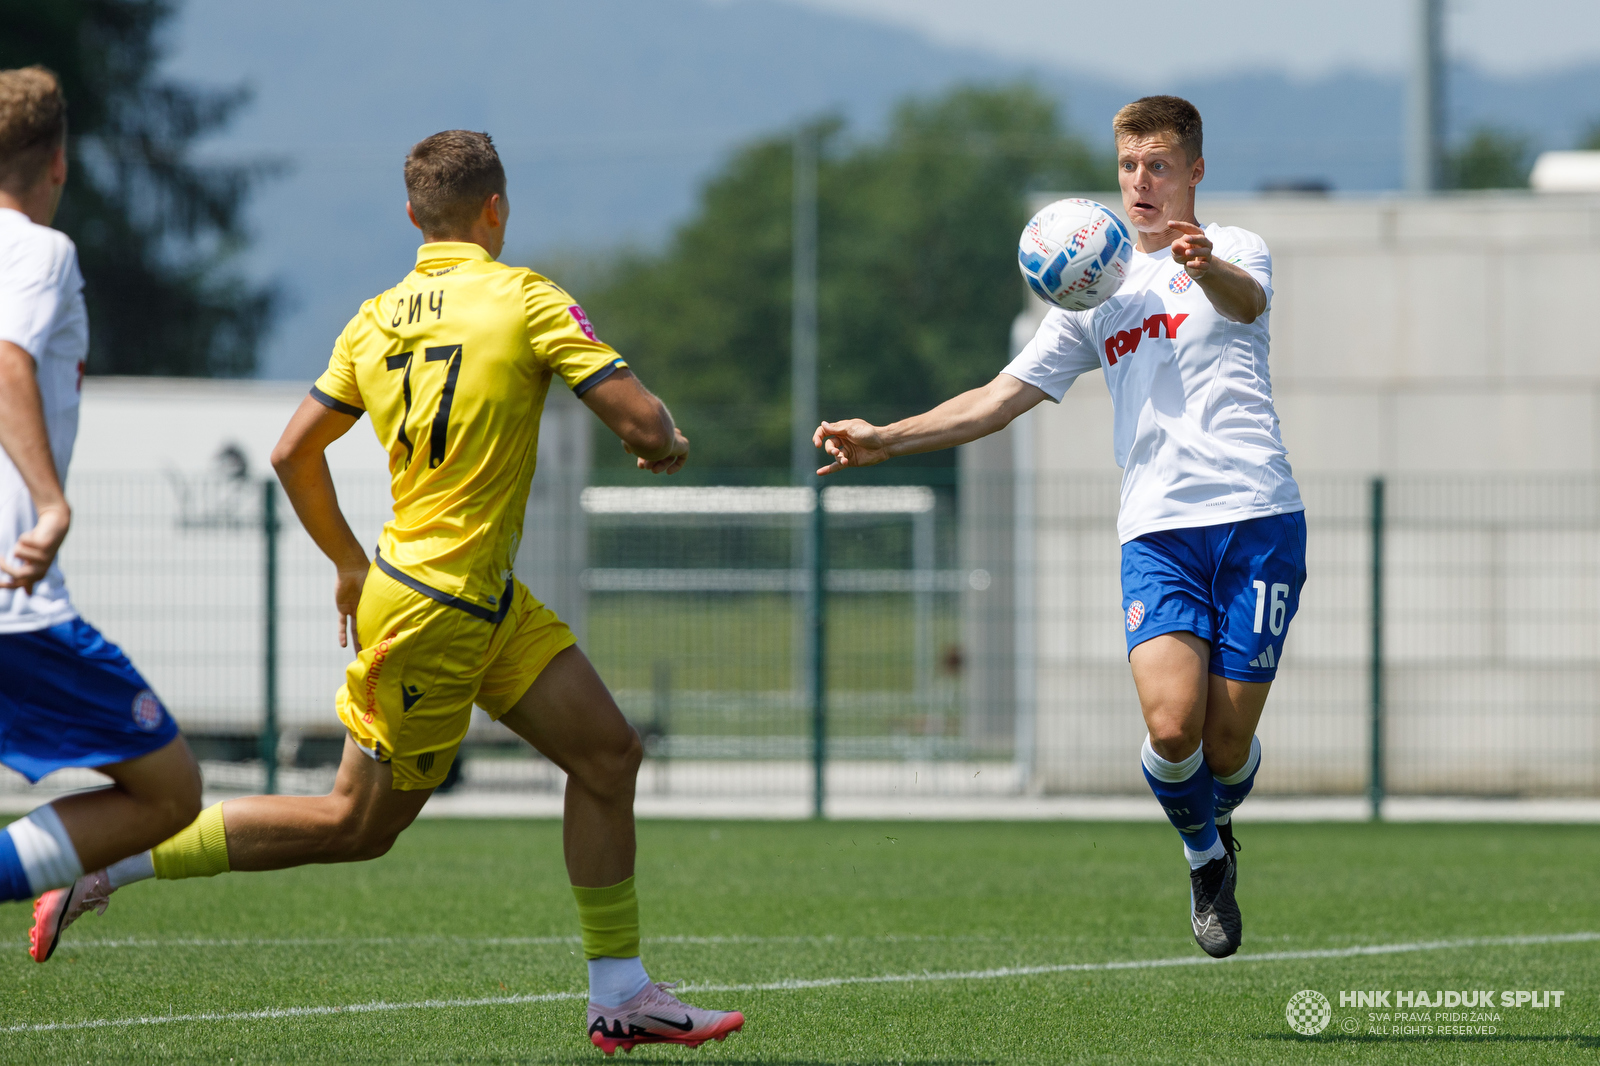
572, 719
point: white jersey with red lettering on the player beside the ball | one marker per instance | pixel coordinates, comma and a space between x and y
1194, 427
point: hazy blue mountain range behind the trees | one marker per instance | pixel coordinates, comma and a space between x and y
610, 113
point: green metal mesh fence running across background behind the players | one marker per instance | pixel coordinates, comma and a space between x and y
1449, 636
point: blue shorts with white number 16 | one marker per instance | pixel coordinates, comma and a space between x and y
1236, 587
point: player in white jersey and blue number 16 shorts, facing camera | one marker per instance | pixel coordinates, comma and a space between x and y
1212, 526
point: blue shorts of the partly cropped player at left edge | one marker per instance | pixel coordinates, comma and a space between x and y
71, 699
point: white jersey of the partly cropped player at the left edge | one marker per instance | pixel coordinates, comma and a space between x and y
42, 313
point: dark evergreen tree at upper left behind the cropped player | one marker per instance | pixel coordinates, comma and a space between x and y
156, 231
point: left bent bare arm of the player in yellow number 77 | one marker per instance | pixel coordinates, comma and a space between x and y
303, 470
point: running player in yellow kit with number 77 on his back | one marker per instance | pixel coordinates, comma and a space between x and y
454, 366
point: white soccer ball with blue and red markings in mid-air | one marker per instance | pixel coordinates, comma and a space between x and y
1074, 254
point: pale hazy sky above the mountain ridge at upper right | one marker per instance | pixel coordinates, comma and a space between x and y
1295, 36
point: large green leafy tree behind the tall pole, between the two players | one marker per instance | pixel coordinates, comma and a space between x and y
918, 273
